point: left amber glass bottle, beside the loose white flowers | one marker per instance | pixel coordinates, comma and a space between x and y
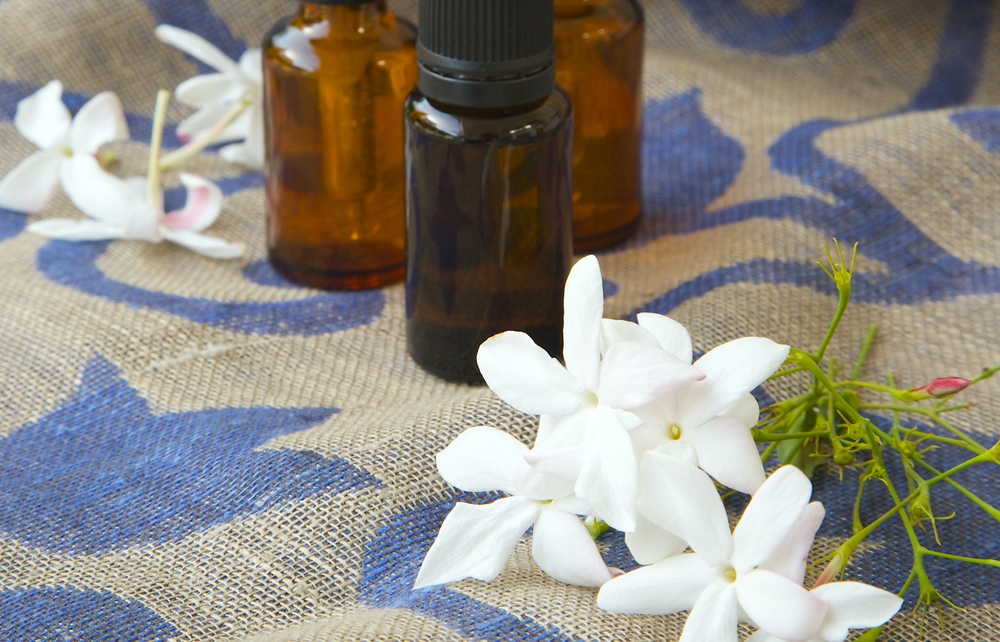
335, 78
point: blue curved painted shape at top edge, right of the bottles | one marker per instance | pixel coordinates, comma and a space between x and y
808, 27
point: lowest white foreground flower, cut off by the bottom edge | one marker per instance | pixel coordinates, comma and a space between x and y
729, 573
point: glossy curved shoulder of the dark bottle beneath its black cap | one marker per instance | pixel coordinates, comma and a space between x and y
482, 126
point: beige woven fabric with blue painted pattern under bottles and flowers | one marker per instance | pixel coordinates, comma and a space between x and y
195, 449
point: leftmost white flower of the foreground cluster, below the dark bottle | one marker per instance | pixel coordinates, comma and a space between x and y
476, 540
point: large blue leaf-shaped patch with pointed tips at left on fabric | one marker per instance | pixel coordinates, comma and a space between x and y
101, 472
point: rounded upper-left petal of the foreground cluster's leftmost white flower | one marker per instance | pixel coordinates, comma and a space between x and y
481, 459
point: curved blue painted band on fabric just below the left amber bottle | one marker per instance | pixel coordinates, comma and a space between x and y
74, 265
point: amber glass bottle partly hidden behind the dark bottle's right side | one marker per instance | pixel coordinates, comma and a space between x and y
599, 50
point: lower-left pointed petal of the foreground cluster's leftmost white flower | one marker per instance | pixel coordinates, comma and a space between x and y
476, 541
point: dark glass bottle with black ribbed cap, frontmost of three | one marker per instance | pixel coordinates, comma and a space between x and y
489, 183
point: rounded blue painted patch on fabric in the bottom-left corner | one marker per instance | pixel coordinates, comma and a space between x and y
64, 613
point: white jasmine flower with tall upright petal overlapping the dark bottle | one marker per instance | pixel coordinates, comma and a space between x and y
584, 440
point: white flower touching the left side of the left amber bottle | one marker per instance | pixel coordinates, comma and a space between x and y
215, 94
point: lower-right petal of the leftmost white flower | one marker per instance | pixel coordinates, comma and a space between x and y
97, 193
